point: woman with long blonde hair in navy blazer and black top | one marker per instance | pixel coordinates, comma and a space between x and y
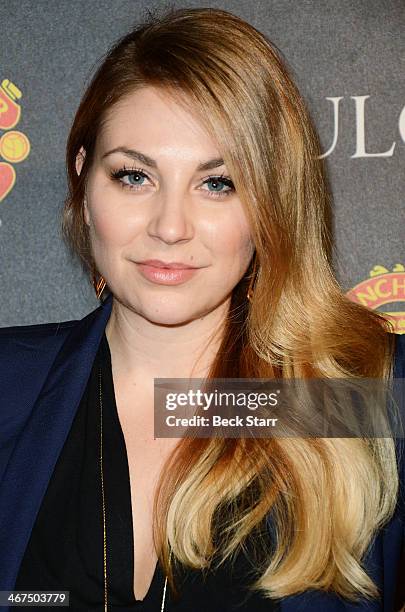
198, 205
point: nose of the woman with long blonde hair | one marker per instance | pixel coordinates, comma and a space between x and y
171, 215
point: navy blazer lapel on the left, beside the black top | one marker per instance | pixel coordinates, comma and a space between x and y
35, 454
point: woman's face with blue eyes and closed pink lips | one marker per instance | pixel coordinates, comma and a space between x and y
148, 199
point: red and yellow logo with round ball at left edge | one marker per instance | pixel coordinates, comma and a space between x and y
14, 145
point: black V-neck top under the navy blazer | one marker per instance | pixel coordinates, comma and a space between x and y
65, 550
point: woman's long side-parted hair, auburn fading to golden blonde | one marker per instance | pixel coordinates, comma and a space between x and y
328, 496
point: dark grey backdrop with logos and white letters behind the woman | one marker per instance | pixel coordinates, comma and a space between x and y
348, 58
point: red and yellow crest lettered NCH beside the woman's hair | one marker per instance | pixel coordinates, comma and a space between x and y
384, 288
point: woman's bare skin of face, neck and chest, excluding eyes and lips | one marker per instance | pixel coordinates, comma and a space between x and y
158, 330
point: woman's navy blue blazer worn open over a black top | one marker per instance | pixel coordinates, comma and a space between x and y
44, 370
